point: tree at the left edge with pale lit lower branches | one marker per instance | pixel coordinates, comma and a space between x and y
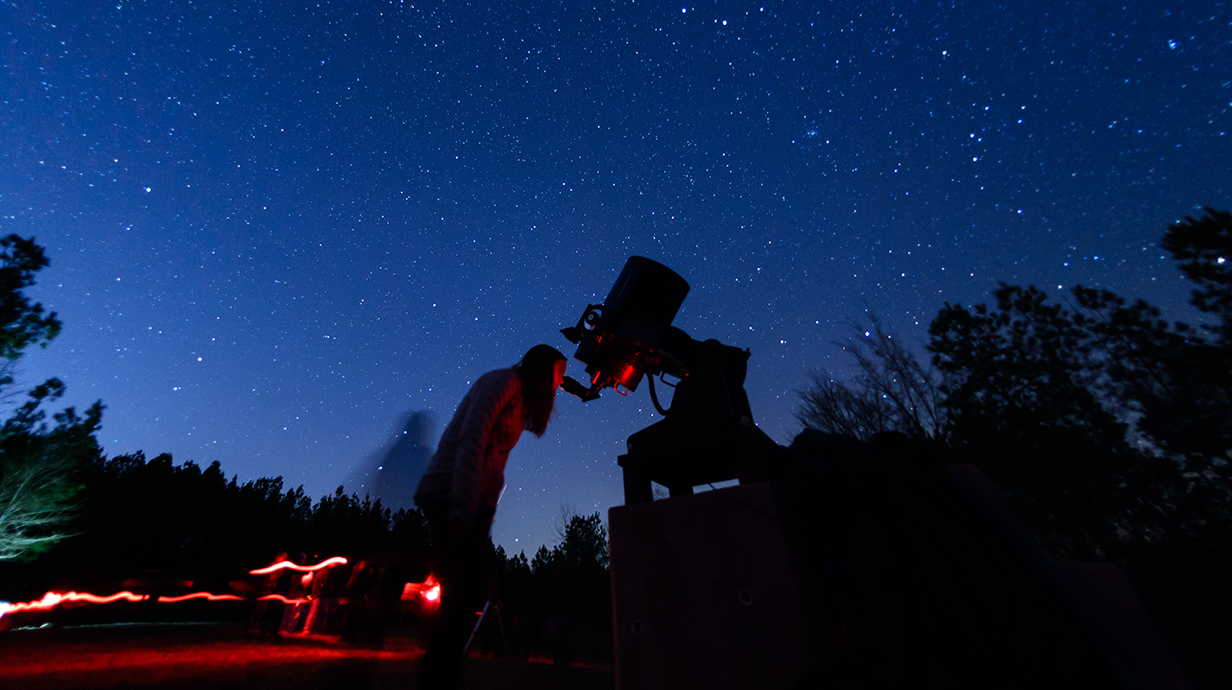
38, 461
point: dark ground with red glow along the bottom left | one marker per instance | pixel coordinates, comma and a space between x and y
211, 656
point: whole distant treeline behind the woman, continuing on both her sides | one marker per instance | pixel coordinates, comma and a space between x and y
155, 527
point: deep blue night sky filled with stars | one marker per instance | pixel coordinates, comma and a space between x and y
278, 230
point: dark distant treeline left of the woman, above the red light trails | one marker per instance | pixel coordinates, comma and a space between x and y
135, 516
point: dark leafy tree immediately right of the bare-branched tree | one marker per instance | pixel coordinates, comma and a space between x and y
1023, 408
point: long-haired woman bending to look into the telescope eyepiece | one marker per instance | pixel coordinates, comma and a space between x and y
463, 485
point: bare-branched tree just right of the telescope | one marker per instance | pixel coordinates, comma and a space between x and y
893, 392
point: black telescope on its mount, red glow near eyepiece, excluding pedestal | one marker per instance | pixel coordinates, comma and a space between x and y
708, 433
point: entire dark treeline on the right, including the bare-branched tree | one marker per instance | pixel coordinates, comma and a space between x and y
1108, 427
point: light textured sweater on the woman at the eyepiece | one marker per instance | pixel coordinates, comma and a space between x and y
468, 473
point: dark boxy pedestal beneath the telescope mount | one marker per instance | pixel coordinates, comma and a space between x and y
704, 596
